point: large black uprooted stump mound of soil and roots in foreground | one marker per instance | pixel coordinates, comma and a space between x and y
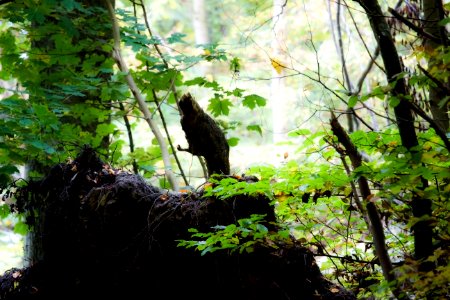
103, 233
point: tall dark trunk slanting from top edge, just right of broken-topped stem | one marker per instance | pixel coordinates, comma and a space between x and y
405, 121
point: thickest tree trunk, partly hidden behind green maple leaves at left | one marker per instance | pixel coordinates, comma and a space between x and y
34, 239
